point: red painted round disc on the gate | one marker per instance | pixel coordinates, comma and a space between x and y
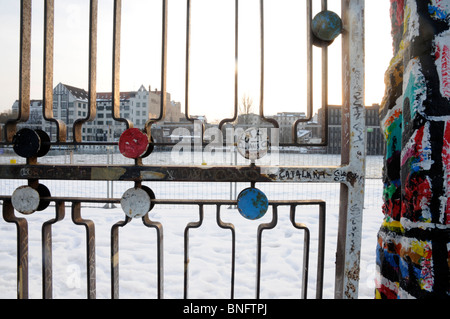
133, 143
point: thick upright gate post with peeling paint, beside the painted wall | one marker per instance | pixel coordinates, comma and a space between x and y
353, 150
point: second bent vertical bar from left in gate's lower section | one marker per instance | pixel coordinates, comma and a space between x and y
47, 268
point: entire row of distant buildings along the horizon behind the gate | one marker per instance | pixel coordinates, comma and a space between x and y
71, 103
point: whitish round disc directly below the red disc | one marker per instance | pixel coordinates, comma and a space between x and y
135, 203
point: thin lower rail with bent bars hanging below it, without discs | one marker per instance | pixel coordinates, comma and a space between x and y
60, 208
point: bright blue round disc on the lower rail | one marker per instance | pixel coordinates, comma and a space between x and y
252, 203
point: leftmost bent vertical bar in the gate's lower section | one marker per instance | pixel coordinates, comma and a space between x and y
22, 248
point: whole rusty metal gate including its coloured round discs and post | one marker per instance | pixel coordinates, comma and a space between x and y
136, 144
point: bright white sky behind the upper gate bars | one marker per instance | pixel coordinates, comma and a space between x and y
212, 51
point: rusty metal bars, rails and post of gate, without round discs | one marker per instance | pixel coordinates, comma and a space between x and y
350, 174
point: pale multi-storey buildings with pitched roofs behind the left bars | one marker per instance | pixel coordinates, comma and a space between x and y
71, 103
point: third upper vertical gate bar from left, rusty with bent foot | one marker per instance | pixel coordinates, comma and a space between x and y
92, 94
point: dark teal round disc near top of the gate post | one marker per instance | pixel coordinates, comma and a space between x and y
326, 25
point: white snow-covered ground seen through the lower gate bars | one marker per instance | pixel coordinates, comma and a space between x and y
210, 245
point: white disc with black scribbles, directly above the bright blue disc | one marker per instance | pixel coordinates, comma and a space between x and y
253, 143
